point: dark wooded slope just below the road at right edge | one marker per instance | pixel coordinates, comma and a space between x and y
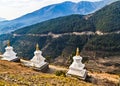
106, 43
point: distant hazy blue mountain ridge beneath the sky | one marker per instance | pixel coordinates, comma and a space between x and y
52, 11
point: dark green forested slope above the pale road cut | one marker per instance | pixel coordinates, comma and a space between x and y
104, 20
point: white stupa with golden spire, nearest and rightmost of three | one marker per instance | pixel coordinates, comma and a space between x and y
77, 68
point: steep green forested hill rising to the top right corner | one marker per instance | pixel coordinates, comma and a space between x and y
108, 18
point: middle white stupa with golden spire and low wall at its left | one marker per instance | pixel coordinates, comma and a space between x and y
38, 61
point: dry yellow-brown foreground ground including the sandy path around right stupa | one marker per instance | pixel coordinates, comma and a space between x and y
15, 74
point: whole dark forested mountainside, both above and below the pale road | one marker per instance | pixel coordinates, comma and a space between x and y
59, 37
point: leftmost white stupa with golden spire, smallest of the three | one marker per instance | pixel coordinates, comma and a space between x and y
9, 54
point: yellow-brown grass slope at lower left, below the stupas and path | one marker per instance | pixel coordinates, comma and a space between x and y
13, 74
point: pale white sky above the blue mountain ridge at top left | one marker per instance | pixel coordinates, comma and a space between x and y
11, 9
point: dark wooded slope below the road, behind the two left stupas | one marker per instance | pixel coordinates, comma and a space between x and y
25, 45
